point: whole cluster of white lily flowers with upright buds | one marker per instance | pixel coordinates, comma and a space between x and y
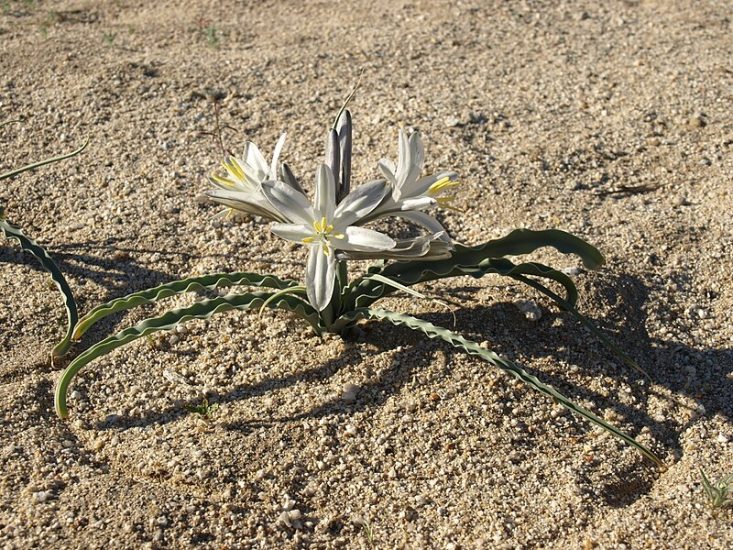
333, 225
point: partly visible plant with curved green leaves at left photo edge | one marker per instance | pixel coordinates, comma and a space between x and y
12, 231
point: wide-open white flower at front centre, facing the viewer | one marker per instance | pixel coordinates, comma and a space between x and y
327, 228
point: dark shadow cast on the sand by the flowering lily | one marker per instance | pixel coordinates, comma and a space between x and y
557, 336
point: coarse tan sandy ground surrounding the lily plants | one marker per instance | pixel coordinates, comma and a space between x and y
612, 122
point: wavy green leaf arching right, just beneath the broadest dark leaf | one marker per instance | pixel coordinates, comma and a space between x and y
365, 291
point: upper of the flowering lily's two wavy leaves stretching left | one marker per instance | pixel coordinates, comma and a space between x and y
150, 295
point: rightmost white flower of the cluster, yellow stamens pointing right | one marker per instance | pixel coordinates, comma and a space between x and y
411, 193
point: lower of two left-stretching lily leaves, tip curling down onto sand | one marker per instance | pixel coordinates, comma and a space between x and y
169, 320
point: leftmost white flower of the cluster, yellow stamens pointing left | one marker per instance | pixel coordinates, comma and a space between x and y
241, 187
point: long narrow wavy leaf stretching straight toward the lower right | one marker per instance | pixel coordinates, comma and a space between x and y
473, 348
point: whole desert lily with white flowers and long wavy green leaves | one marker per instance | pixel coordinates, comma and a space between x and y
332, 227
